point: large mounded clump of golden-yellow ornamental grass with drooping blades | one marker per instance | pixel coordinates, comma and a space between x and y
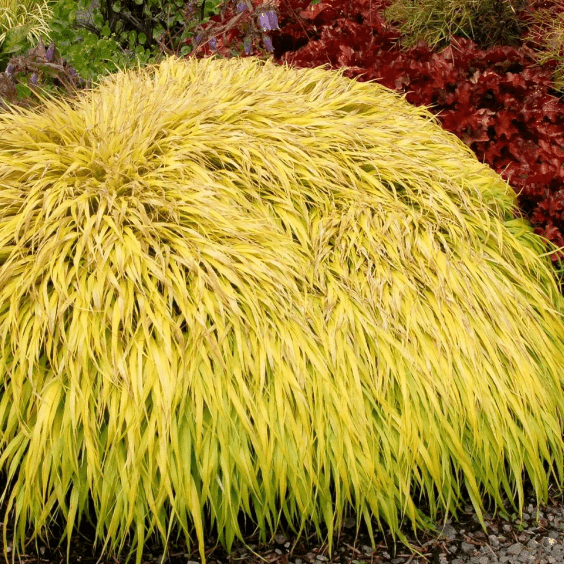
227, 285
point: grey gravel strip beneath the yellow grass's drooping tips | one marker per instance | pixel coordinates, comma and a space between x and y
462, 541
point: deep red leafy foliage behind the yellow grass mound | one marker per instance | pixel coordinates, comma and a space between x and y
500, 101
